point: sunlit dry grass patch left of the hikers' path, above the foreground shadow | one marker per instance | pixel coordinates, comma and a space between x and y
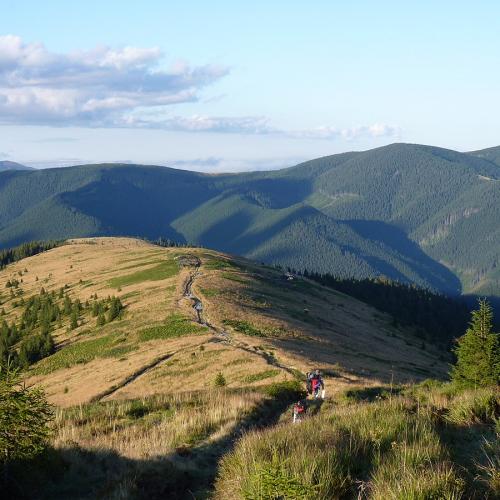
155, 426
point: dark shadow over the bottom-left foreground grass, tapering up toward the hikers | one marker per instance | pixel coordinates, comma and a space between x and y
188, 473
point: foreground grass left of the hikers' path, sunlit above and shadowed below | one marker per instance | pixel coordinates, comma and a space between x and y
165, 446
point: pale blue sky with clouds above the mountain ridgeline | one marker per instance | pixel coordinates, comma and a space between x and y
228, 86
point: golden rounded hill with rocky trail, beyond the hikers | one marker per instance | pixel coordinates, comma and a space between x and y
256, 328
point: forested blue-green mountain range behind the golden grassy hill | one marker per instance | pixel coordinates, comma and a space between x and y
414, 213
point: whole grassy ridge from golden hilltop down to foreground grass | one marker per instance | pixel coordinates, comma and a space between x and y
165, 400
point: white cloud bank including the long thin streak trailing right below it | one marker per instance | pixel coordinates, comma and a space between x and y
126, 88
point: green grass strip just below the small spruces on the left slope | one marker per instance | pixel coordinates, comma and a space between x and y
83, 352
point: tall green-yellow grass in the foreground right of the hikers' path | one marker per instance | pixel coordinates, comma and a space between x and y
390, 449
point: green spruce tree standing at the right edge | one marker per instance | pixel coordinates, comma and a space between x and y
478, 351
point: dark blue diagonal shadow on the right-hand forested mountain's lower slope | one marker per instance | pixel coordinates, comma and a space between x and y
437, 275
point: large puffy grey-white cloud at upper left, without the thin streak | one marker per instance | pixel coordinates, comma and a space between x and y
91, 88
